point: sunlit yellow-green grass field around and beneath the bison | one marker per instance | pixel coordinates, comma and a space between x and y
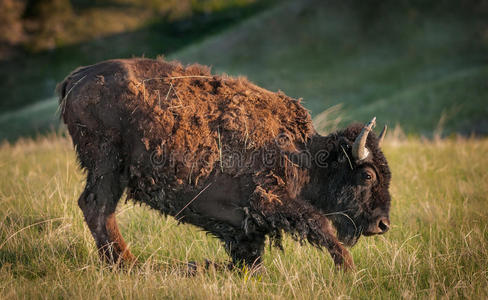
437, 247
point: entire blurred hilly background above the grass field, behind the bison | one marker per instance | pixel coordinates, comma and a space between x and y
420, 66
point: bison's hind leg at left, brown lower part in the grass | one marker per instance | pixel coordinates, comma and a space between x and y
98, 203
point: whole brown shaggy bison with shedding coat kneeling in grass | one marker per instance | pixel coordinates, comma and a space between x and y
223, 154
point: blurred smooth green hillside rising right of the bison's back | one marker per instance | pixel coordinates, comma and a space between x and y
406, 66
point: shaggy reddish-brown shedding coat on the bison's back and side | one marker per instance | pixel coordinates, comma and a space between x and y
169, 125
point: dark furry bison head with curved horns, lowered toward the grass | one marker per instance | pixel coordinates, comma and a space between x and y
353, 185
